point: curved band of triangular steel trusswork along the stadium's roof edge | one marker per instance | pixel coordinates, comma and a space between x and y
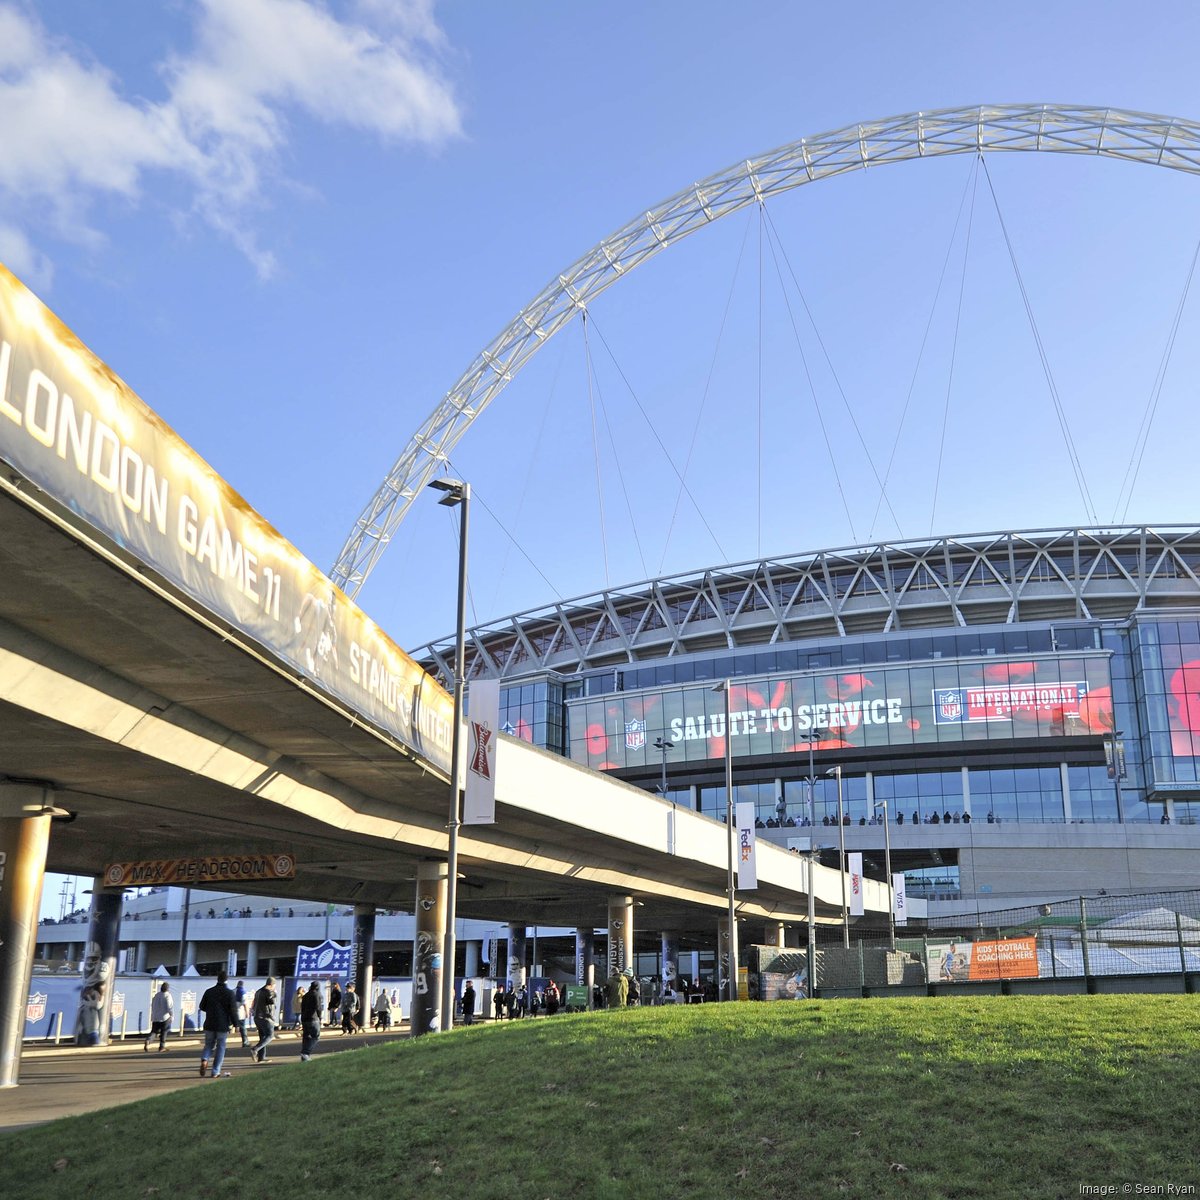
889, 587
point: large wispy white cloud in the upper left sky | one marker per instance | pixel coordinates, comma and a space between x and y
70, 135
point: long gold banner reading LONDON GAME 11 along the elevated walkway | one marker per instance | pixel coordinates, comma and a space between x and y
74, 428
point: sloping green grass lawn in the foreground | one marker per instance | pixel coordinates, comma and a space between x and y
1023, 1097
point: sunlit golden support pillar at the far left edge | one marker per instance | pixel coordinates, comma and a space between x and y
23, 844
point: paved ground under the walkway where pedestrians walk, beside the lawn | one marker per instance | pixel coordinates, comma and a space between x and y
61, 1082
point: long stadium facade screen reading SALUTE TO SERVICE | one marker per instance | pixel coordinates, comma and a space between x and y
949, 701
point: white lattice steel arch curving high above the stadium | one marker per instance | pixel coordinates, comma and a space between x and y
1109, 133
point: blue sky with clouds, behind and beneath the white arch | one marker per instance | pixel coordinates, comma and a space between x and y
291, 225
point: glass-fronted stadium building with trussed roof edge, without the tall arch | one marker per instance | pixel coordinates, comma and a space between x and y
1016, 716
